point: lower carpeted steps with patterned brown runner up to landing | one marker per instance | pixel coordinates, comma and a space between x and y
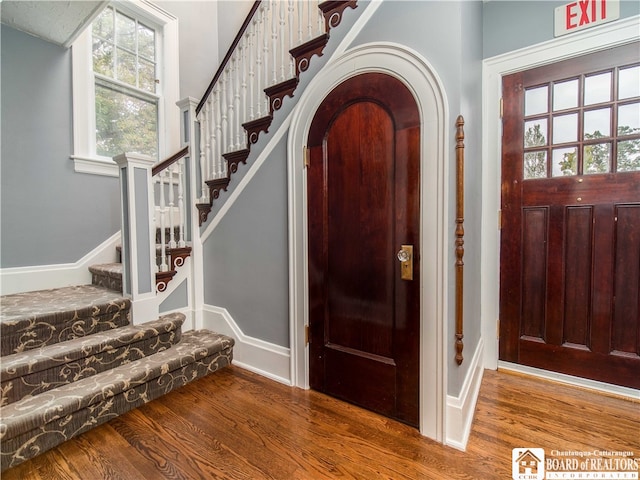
56, 386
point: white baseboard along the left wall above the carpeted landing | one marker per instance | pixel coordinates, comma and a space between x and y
42, 277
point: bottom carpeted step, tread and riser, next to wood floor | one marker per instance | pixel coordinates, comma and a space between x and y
32, 426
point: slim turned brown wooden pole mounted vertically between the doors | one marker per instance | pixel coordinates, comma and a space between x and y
459, 235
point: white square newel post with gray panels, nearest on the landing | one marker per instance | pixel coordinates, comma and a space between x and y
138, 235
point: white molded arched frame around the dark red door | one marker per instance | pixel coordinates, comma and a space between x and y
417, 74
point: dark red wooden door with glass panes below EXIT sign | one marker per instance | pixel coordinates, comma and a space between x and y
570, 243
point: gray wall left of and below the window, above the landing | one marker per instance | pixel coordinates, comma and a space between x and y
49, 214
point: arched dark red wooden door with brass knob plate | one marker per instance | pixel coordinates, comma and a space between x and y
363, 205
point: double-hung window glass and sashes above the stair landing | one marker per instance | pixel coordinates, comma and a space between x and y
124, 65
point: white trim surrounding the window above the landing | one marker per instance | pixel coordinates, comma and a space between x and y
84, 148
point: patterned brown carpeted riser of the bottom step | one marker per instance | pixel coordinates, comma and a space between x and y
59, 429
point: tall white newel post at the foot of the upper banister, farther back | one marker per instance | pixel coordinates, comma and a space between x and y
189, 129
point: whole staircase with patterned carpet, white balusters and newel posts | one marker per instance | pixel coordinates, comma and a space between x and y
73, 357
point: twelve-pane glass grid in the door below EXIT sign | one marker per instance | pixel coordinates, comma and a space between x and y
583, 125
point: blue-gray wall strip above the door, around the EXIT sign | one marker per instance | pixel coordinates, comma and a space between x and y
514, 24
